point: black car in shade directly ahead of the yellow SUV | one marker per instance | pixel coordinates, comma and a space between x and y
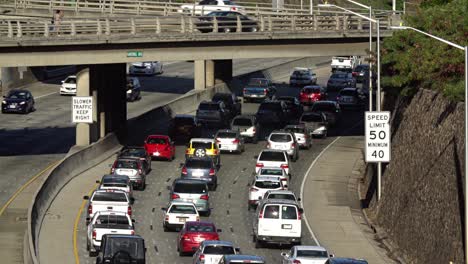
184, 127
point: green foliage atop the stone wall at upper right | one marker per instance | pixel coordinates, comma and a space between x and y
411, 60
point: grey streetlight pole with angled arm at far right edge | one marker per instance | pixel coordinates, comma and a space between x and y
466, 122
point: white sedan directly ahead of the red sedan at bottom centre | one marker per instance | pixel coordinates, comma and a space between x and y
177, 213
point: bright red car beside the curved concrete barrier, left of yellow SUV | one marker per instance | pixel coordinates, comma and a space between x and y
160, 146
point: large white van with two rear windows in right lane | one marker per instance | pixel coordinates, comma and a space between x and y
277, 221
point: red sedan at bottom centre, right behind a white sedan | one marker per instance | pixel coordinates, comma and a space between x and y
193, 233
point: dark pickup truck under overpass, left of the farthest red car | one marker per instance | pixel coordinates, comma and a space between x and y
258, 89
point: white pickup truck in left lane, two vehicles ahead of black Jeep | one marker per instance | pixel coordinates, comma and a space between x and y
108, 201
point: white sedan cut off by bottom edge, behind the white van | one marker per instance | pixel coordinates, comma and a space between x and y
306, 255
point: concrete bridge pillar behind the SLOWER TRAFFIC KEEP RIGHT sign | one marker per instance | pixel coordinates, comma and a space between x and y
107, 84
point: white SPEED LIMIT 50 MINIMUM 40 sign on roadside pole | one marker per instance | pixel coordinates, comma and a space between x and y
377, 136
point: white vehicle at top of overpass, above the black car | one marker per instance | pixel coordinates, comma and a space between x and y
207, 6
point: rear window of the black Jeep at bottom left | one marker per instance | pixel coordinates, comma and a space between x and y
133, 246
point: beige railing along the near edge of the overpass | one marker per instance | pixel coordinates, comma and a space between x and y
170, 25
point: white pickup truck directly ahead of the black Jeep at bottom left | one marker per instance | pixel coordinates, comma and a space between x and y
115, 223
